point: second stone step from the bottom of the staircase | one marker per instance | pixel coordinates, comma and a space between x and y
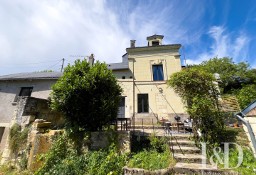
189, 158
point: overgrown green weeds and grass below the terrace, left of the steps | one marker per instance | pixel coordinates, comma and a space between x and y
63, 158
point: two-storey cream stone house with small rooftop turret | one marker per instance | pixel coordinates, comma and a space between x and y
143, 75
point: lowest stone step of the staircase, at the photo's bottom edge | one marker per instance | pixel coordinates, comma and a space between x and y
195, 168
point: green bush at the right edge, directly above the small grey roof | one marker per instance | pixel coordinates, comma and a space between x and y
246, 95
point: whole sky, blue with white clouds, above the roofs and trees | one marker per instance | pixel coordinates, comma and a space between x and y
36, 35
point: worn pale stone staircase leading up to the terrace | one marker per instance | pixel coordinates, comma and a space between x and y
189, 158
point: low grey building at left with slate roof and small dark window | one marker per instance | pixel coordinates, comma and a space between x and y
36, 84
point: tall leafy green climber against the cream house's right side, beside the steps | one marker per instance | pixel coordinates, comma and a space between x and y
197, 89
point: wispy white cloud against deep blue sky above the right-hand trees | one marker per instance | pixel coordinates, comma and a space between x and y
224, 45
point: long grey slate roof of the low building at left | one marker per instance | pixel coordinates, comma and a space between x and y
32, 75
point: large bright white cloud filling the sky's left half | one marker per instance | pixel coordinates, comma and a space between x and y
37, 31
